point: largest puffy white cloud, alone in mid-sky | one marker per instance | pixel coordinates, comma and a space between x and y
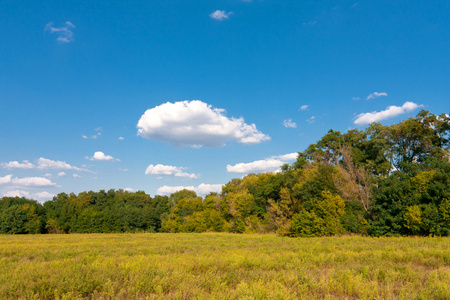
195, 124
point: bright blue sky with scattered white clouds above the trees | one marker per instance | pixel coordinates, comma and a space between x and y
158, 95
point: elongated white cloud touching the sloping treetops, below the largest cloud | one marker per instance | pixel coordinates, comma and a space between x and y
270, 164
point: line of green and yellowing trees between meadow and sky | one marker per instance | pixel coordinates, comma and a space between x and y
381, 181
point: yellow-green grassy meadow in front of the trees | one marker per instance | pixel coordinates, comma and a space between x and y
222, 266
